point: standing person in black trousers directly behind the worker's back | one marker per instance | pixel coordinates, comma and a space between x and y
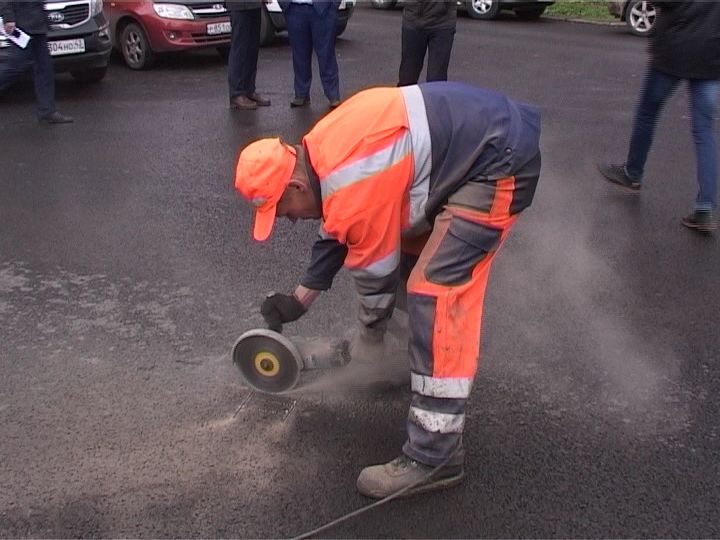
427, 25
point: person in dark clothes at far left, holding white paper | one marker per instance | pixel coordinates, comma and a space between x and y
29, 16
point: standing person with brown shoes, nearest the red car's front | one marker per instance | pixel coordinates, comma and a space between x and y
245, 16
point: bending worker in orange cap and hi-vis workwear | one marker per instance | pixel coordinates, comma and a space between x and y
431, 178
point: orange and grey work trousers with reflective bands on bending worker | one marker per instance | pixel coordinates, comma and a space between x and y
445, 294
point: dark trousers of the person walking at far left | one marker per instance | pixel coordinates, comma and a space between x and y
36, 54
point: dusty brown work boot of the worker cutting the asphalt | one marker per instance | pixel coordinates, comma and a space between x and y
403, 473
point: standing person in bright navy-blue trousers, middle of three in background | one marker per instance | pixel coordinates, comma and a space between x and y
311, 26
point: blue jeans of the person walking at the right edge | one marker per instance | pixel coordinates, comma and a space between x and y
657, 88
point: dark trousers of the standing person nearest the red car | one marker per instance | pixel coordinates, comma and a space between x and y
244, 50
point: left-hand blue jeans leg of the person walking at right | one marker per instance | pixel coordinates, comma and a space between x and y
657, 88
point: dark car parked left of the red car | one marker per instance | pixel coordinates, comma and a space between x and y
78, 39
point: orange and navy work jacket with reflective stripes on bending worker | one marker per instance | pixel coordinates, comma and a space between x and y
385, 163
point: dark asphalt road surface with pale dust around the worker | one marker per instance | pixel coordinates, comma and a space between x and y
127, 272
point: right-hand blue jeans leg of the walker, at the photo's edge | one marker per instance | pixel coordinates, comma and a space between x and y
703, 107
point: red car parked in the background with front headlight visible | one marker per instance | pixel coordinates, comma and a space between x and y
142, 28
